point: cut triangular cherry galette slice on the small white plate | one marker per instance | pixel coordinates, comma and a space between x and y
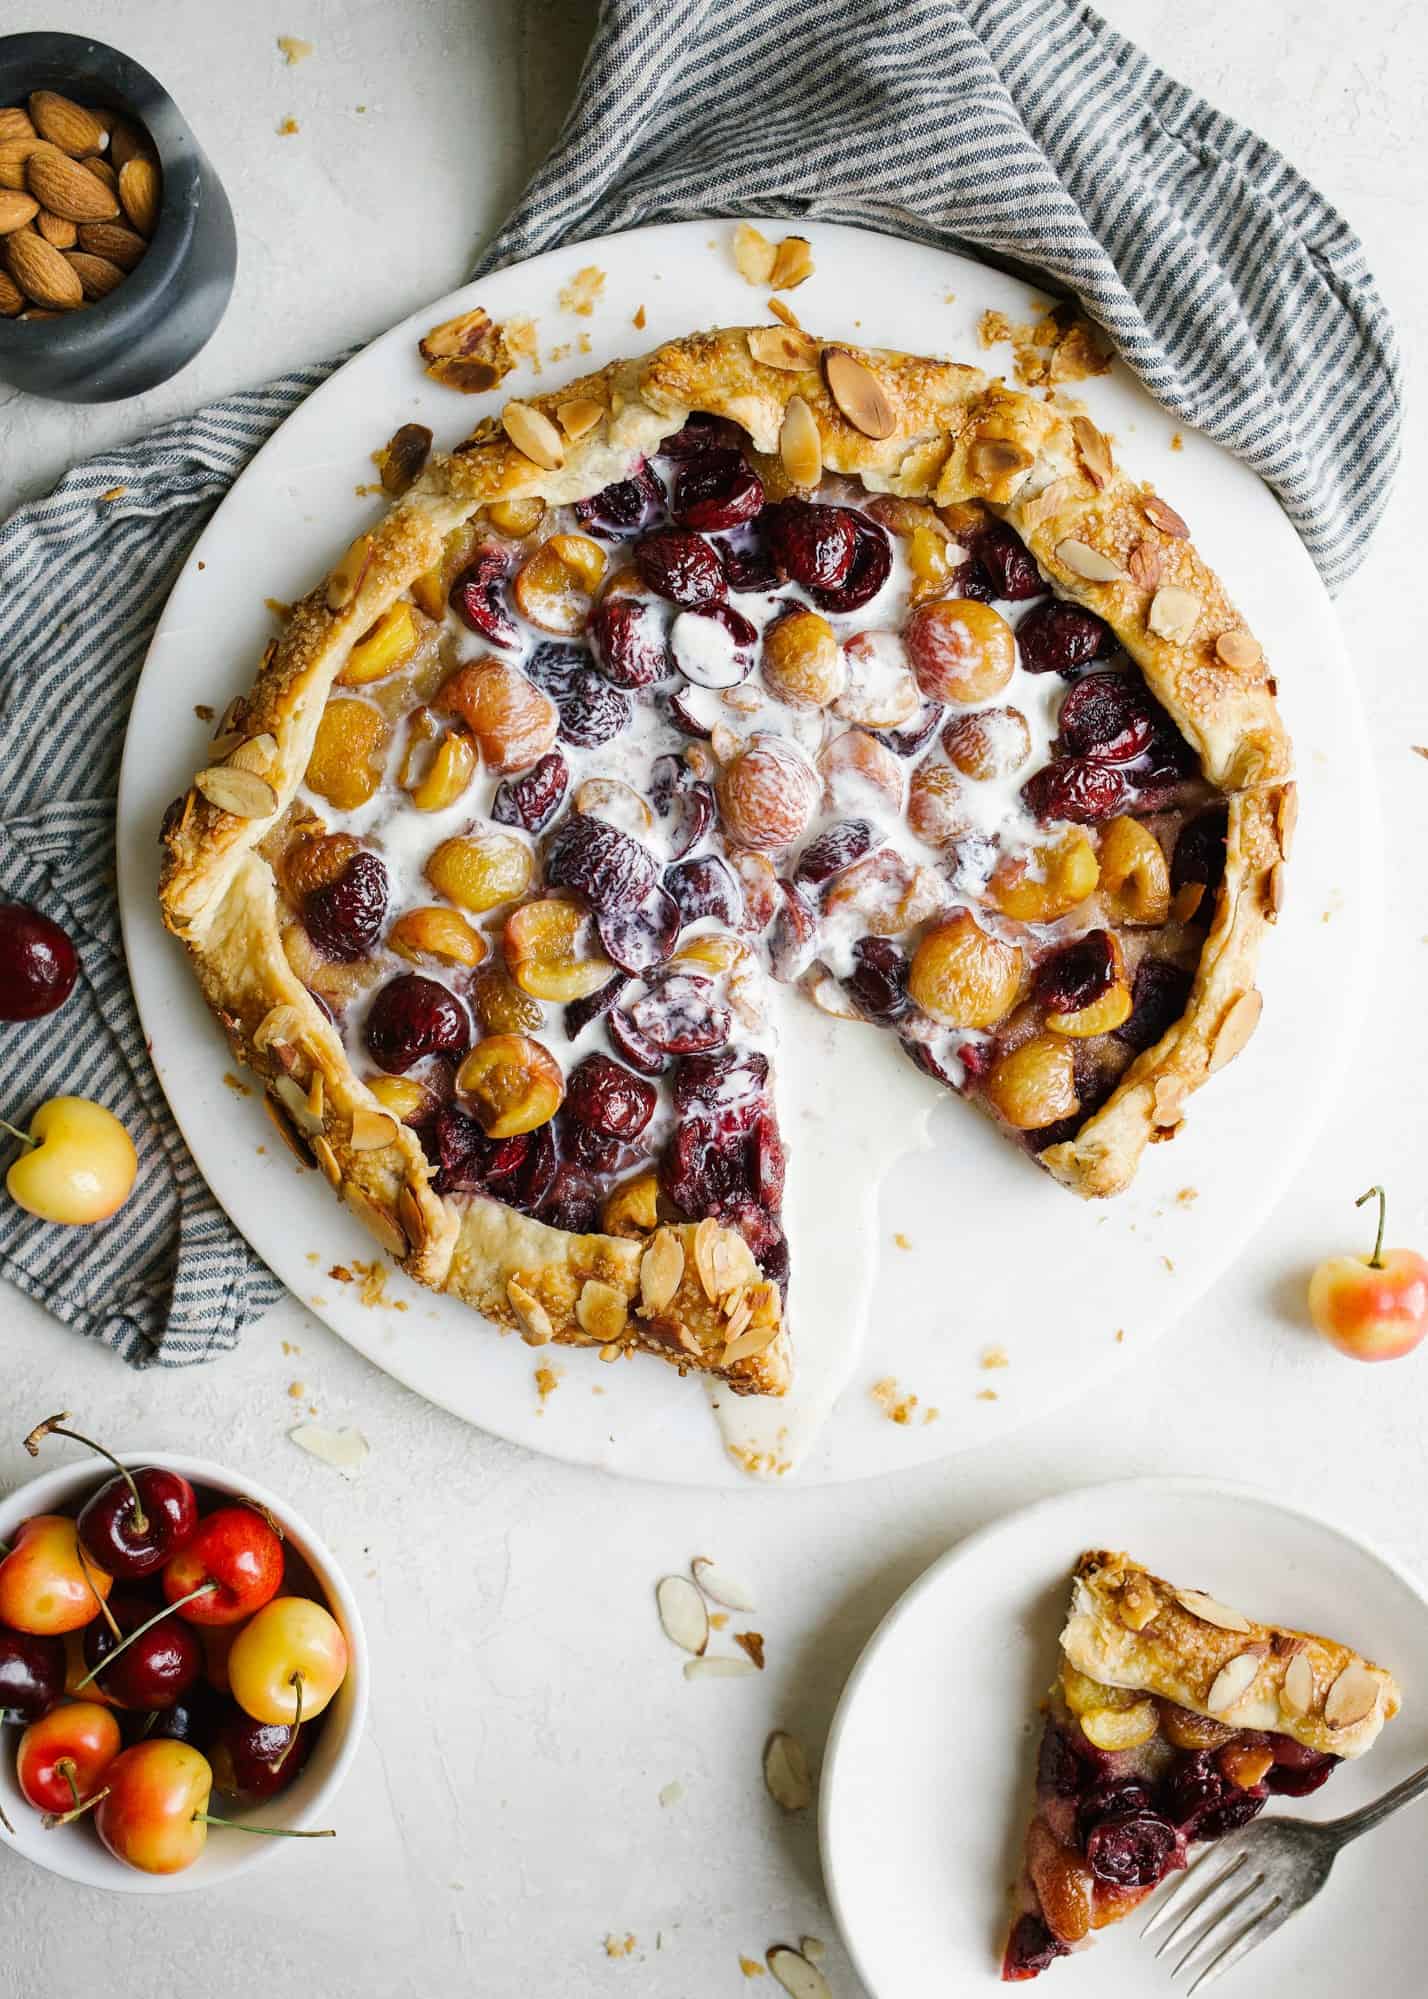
1173, 1722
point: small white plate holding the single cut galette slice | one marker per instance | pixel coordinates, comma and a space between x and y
927, 1780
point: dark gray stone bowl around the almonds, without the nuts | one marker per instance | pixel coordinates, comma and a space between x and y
171, 303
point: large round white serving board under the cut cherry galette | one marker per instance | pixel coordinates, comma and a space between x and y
897, 1192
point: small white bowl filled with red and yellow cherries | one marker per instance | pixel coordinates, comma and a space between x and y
183, 1672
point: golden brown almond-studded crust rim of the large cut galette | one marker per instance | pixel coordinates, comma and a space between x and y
957, 437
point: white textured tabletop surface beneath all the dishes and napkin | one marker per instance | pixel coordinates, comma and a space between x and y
527, 1714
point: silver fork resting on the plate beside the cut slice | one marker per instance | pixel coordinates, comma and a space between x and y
1251, 1882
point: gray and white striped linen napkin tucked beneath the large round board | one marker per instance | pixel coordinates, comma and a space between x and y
1019, 131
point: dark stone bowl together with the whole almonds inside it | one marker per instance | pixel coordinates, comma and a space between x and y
117, 239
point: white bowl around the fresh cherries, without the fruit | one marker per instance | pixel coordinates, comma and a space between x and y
77, 1850
